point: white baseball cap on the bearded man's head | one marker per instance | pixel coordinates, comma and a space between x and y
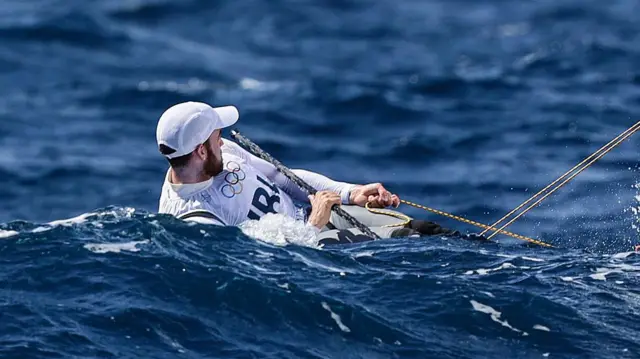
186, 125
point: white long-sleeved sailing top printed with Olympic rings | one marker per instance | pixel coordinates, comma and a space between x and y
246, 189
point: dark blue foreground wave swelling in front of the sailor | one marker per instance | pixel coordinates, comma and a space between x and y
120, 275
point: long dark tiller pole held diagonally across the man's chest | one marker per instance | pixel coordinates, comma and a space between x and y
257, 151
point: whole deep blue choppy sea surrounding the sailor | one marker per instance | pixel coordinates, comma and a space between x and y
469, 107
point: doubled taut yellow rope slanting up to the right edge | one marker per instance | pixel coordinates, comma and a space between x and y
619, 139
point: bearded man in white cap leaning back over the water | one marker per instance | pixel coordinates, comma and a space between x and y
213, 180
